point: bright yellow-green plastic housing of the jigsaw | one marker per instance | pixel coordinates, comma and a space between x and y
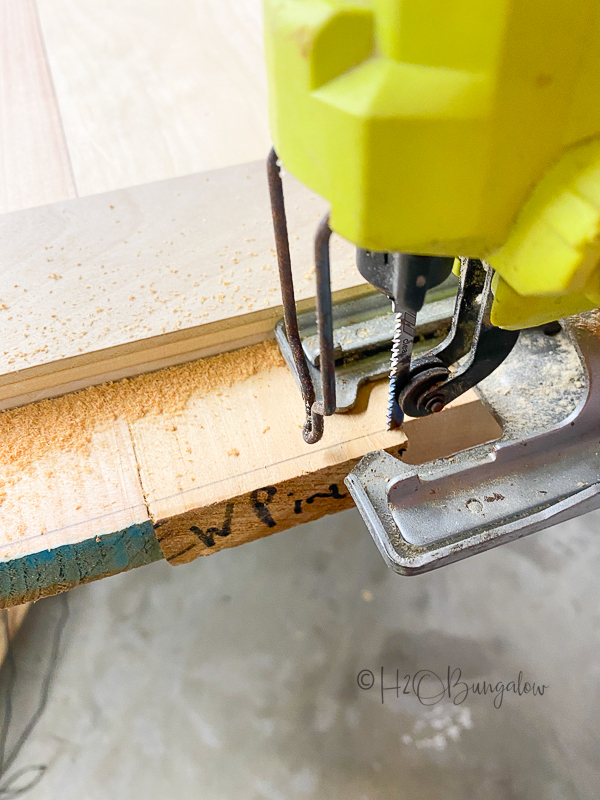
451, 127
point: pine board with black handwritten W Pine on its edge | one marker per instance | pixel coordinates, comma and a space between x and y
232, 466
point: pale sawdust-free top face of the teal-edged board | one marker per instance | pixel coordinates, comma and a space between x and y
91, 496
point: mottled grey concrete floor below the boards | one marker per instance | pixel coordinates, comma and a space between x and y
235, 677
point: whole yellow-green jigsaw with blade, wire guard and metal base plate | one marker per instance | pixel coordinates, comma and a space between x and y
445, 132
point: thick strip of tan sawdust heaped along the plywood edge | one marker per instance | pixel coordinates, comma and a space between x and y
67, 423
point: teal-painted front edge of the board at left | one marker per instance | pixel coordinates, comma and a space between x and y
49, 572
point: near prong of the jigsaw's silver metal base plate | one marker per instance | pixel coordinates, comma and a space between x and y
544, 470
